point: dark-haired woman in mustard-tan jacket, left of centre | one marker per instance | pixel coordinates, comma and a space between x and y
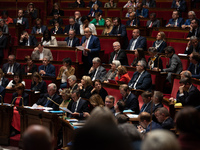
65, 71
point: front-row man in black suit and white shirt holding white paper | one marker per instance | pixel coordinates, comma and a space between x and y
79, 105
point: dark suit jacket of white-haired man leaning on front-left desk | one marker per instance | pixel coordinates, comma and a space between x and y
43, 100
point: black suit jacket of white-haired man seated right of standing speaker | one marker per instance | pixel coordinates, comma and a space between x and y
122, 57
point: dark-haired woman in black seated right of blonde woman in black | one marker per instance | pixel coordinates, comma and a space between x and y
98, 89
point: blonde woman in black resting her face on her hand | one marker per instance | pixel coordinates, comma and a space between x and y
85, 87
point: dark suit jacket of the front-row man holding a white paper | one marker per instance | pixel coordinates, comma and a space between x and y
82, 107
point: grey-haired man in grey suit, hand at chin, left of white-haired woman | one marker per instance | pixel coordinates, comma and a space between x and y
97, 71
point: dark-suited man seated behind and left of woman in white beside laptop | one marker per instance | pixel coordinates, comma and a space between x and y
38, 28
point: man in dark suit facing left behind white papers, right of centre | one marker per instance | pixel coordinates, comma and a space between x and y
131, 101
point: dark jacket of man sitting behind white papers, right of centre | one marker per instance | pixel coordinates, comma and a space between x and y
132, 103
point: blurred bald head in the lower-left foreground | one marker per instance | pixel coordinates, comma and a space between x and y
37, 137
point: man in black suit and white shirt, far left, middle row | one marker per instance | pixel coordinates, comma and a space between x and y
11, 67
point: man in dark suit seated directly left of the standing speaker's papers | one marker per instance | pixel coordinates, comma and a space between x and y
72, 40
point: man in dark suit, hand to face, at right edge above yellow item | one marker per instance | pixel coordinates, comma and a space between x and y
188, 94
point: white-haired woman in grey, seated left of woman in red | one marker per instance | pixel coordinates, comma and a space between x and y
111, 74
